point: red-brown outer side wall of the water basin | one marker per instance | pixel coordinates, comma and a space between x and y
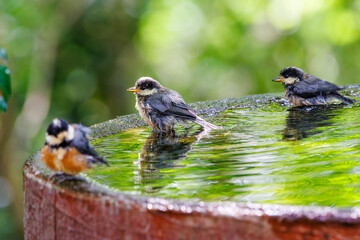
51, 212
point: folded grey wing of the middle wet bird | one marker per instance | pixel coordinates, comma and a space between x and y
170, 102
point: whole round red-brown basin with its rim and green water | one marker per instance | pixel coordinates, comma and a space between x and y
271, 173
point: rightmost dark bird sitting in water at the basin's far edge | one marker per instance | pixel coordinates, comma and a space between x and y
303, 89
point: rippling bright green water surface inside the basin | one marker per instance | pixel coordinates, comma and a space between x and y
266, 155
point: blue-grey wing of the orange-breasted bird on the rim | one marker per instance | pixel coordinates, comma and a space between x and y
81, 143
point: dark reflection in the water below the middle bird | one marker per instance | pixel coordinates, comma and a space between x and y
162, 151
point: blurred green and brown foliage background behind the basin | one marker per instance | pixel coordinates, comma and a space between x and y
75, 60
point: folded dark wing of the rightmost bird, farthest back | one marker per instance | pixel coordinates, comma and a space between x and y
312, 86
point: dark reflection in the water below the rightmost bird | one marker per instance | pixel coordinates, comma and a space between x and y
304, 122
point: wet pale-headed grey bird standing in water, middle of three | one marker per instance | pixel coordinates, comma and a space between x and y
162, 108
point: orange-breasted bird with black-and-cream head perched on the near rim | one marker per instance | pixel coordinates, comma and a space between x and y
67, 148
